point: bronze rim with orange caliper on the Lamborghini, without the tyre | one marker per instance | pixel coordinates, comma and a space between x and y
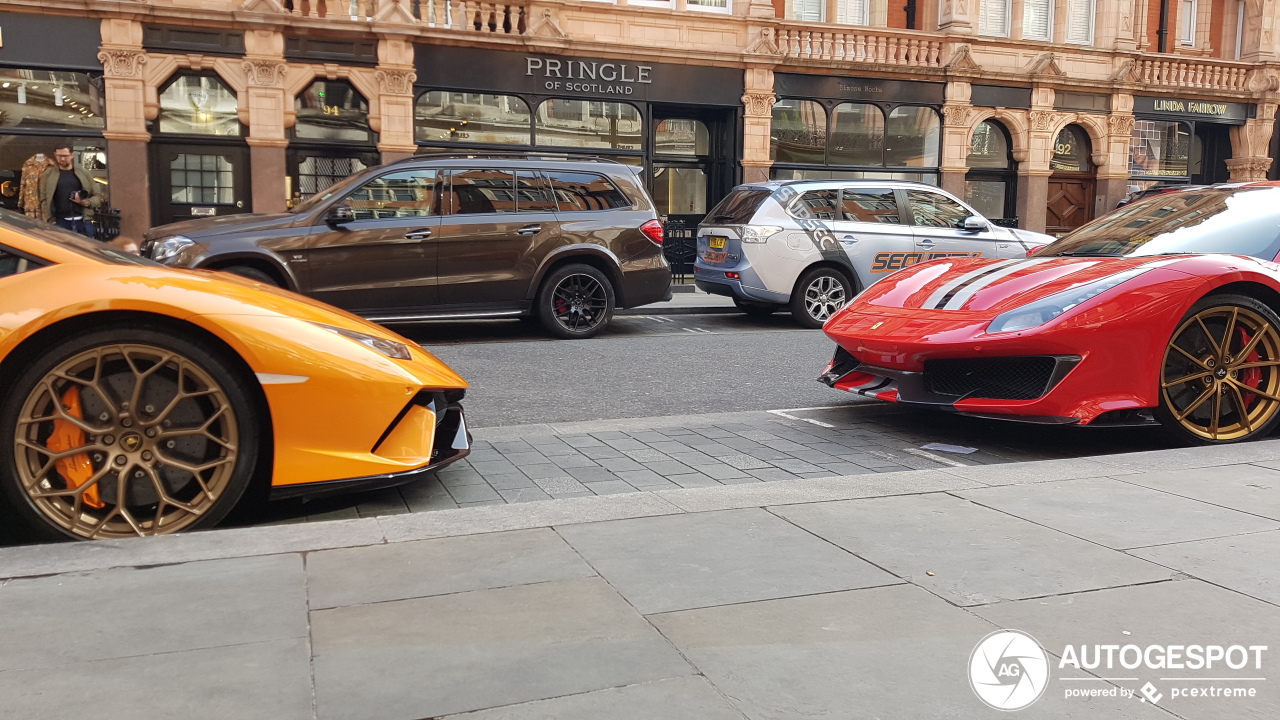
126, 440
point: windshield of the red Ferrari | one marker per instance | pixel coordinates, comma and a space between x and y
1236, 221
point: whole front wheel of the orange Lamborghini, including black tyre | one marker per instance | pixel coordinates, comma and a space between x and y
127, 432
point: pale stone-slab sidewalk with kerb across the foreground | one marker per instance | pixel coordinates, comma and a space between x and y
858, 596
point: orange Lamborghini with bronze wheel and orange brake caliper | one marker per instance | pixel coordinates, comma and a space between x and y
136, 400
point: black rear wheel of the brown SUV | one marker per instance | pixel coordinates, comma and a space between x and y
575, 302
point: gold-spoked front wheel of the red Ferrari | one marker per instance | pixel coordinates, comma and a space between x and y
1220, 379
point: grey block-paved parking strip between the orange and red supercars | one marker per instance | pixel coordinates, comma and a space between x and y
546, 462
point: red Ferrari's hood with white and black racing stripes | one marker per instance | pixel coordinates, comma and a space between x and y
991, 286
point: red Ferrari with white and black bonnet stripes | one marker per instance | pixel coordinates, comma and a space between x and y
1163, 312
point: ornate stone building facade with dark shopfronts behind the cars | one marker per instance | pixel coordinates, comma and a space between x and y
1043, 112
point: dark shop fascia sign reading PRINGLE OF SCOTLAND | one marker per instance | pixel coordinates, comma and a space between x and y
474, 70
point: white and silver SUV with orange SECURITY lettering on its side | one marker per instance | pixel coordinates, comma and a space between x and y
815, 245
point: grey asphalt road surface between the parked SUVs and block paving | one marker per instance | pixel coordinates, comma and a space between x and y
644, 367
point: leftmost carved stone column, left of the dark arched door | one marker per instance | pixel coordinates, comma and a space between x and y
127, 138
